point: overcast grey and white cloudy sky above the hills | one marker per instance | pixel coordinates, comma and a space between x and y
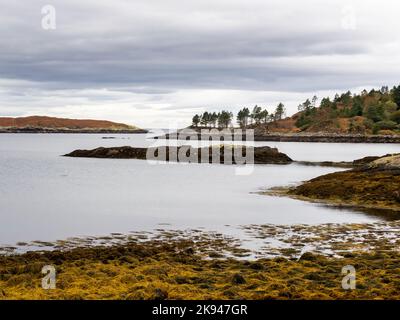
155, 63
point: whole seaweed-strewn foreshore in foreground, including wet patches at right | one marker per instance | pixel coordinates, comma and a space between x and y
195, 267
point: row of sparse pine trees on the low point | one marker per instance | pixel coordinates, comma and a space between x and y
244, 117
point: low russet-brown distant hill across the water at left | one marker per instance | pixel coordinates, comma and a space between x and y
43, 122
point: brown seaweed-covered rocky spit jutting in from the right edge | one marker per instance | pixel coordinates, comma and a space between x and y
373, 183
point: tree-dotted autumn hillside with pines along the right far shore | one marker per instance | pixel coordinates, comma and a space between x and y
373, 112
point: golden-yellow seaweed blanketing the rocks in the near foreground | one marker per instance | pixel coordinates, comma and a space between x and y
129, 271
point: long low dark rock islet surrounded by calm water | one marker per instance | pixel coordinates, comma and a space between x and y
215, 154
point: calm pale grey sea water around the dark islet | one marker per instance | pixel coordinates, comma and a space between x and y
44, 196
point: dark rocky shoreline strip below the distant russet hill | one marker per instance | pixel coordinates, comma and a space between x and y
66, 130
